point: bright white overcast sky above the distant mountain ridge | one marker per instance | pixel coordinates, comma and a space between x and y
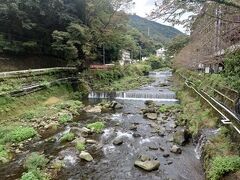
144, 7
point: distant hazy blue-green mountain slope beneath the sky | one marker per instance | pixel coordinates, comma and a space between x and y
158, 32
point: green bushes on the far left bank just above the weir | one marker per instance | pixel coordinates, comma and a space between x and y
117, 78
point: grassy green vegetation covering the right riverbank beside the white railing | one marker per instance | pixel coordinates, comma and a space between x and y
220, 154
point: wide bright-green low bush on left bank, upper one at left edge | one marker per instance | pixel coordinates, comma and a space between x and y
18, 134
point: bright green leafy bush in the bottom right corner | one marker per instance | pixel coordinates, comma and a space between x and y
222, 165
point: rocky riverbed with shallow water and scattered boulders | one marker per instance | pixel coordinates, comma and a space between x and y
138, 141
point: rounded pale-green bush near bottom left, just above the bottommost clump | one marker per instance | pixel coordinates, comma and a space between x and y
35, 161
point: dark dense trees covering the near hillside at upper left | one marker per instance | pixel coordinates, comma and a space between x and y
76, 31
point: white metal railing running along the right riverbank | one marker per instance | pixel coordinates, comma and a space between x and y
228, 116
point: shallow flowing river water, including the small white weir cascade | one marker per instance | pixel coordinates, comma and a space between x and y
117, 162
